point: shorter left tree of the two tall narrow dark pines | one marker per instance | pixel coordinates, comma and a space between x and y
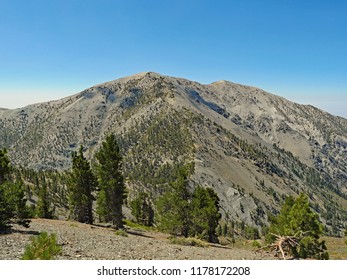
82, 185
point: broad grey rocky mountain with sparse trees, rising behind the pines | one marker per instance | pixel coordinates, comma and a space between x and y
253, 148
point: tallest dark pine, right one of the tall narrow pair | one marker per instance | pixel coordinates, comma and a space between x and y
111, 182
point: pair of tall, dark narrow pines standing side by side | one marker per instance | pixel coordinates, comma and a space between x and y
106, 180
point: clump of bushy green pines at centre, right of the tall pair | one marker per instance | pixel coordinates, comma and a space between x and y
183, 212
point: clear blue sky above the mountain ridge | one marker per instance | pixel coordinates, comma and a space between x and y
293, 48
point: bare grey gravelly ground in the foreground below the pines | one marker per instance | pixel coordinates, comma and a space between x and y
81, 242
